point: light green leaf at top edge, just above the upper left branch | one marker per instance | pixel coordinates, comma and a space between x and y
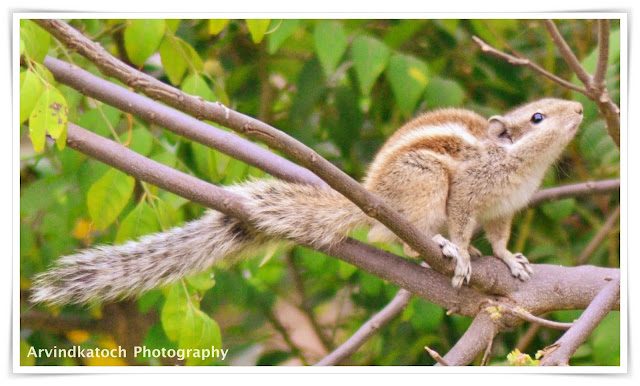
142, 38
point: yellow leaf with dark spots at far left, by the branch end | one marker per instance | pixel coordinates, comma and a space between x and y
49, 115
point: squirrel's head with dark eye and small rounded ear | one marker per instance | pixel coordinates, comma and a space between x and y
556, 118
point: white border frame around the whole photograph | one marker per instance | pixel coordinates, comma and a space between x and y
624, 316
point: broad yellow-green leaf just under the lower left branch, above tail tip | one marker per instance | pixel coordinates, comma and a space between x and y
108, 196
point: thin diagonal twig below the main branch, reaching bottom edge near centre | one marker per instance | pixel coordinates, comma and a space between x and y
367, 330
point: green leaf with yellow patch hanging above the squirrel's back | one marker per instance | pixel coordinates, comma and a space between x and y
408, 77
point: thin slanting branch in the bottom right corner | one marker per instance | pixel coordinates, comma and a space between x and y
588, 321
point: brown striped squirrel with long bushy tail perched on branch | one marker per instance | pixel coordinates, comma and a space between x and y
446, 170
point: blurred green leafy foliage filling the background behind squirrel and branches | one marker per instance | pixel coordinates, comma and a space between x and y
340, 86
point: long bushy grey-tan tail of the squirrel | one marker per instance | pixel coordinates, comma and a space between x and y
302, 213
